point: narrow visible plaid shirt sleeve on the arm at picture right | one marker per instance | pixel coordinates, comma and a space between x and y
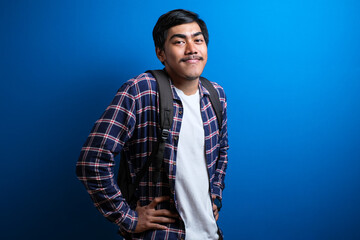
222, 162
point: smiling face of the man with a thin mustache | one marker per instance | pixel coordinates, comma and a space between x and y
185, 52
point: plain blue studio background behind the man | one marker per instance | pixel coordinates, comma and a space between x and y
291, 70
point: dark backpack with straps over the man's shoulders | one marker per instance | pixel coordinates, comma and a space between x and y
124, 181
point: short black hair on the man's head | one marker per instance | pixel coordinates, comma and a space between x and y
174, 18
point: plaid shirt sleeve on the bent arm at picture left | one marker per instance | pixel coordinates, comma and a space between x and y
95, 167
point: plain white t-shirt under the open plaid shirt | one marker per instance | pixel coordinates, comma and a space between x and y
192, 180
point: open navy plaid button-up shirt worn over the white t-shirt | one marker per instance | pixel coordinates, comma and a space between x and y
130, 123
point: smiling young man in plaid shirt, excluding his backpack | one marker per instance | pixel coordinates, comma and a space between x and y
184, 203
